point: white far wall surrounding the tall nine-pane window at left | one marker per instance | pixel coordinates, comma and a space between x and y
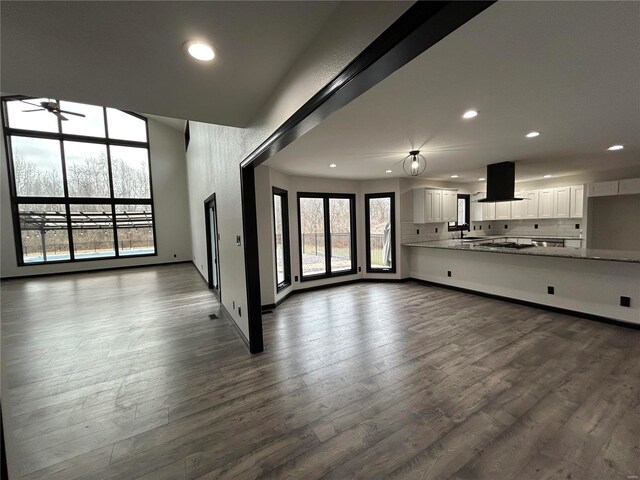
168, 174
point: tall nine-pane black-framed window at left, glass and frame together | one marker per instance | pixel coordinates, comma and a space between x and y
80, 181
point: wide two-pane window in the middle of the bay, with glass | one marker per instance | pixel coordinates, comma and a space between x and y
327, 235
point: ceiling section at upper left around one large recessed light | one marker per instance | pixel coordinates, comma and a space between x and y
130, 55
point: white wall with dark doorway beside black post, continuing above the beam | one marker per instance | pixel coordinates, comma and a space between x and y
216, 151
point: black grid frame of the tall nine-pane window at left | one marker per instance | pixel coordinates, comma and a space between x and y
66, 200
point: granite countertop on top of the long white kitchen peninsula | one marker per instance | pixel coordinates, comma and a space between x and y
630, 256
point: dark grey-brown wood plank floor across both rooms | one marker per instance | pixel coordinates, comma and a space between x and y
123, 375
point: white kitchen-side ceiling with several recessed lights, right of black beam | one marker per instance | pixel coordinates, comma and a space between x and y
570, 70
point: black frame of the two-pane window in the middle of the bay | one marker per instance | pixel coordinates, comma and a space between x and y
327, 235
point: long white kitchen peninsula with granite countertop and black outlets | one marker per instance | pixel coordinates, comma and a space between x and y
598, 283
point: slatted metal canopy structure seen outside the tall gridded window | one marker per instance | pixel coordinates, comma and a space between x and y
47, 221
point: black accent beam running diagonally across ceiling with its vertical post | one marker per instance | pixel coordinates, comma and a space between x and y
423, 25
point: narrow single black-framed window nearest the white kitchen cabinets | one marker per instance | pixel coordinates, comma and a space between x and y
380, 232
